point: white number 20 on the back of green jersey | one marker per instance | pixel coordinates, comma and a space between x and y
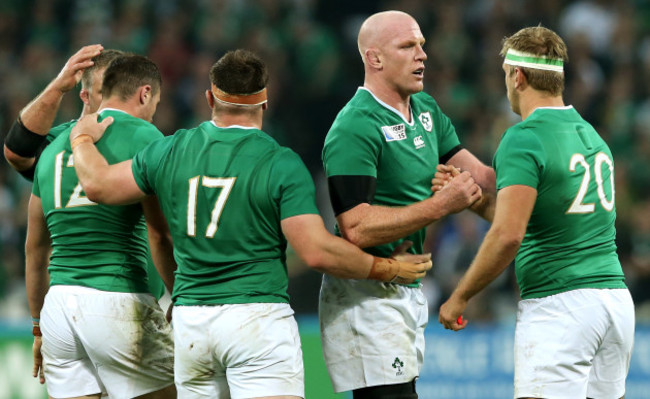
578, 206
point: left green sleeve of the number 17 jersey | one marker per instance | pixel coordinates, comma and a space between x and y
147, 163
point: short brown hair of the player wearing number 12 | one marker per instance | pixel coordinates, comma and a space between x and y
129, 72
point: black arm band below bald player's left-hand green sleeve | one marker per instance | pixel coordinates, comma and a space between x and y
346, 192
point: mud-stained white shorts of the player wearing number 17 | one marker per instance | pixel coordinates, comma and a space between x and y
237, 351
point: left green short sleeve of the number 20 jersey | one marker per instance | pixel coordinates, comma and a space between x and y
519, 159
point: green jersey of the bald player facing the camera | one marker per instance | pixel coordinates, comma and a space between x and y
370, 138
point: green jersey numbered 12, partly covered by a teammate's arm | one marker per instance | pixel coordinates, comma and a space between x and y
97, 246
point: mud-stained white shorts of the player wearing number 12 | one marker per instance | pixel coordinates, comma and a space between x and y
110, 342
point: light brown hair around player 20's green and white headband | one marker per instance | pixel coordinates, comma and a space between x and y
539, 41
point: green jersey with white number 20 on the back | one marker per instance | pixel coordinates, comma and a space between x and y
569, 241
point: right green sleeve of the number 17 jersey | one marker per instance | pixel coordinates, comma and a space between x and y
292, 186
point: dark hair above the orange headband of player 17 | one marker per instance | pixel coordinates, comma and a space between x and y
239, 72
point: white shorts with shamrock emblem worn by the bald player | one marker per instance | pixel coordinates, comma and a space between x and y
372, 332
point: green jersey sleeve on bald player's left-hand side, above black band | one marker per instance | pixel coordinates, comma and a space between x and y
351, 148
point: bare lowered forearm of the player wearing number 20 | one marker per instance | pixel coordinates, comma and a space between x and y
494, 255
